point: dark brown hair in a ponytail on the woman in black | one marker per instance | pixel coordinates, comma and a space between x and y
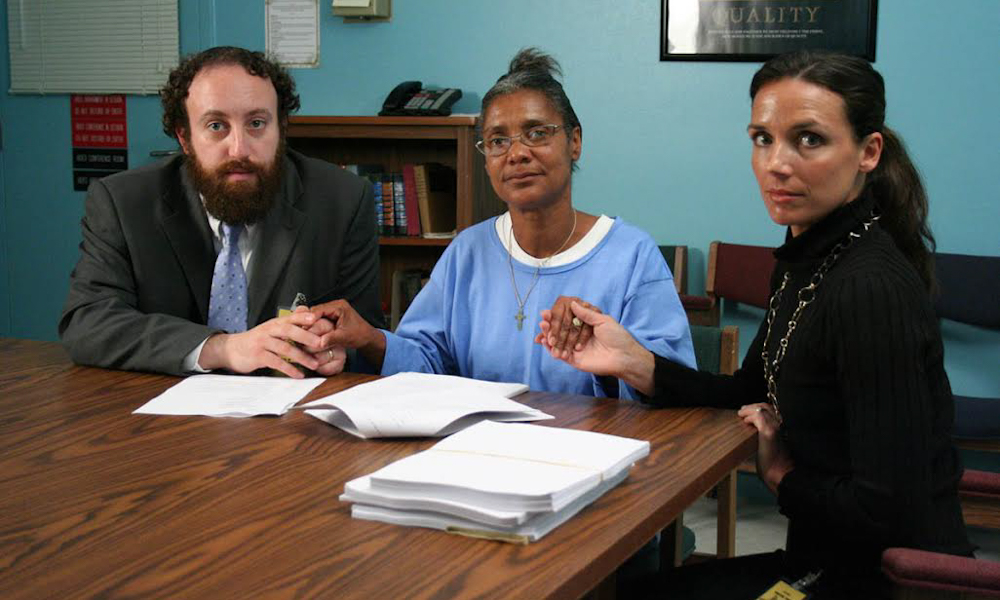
895, 182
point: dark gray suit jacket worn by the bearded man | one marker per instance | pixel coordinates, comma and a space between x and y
138, 297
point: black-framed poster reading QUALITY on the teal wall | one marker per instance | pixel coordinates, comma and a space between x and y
756, 30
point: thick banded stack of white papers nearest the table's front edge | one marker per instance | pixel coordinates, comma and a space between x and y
511, 482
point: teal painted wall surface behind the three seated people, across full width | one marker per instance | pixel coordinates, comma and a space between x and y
664, 142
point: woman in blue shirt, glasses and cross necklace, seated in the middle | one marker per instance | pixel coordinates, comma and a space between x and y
476, 317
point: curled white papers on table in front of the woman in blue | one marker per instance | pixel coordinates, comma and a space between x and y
420, 405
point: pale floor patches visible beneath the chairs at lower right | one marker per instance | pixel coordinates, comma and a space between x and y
760, 528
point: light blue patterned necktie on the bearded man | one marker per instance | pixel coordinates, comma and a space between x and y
227, 306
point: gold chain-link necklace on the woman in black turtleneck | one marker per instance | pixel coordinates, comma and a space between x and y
806, 295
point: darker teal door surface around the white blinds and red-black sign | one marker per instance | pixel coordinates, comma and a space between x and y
41, 220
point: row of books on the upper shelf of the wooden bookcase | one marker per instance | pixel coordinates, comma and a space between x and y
419, 201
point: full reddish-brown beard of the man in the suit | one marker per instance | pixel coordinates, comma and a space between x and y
237, 202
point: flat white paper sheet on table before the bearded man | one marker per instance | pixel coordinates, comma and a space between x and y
230, 396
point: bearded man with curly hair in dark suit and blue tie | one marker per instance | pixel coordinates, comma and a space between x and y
185, 262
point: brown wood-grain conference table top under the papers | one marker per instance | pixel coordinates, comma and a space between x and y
98, 502
